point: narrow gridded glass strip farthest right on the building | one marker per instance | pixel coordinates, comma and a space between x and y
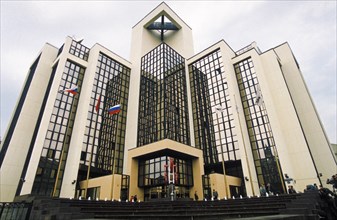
260, 134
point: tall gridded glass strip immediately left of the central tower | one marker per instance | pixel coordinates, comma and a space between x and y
104, 138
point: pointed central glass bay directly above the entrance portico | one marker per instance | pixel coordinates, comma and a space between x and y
163, 111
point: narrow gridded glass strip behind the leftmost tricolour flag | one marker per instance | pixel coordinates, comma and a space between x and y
49, 175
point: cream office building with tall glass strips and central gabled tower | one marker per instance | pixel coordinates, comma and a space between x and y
184, 123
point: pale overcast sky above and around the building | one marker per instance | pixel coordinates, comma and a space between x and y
308, 26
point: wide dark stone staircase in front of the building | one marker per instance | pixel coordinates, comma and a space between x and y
295, 206
